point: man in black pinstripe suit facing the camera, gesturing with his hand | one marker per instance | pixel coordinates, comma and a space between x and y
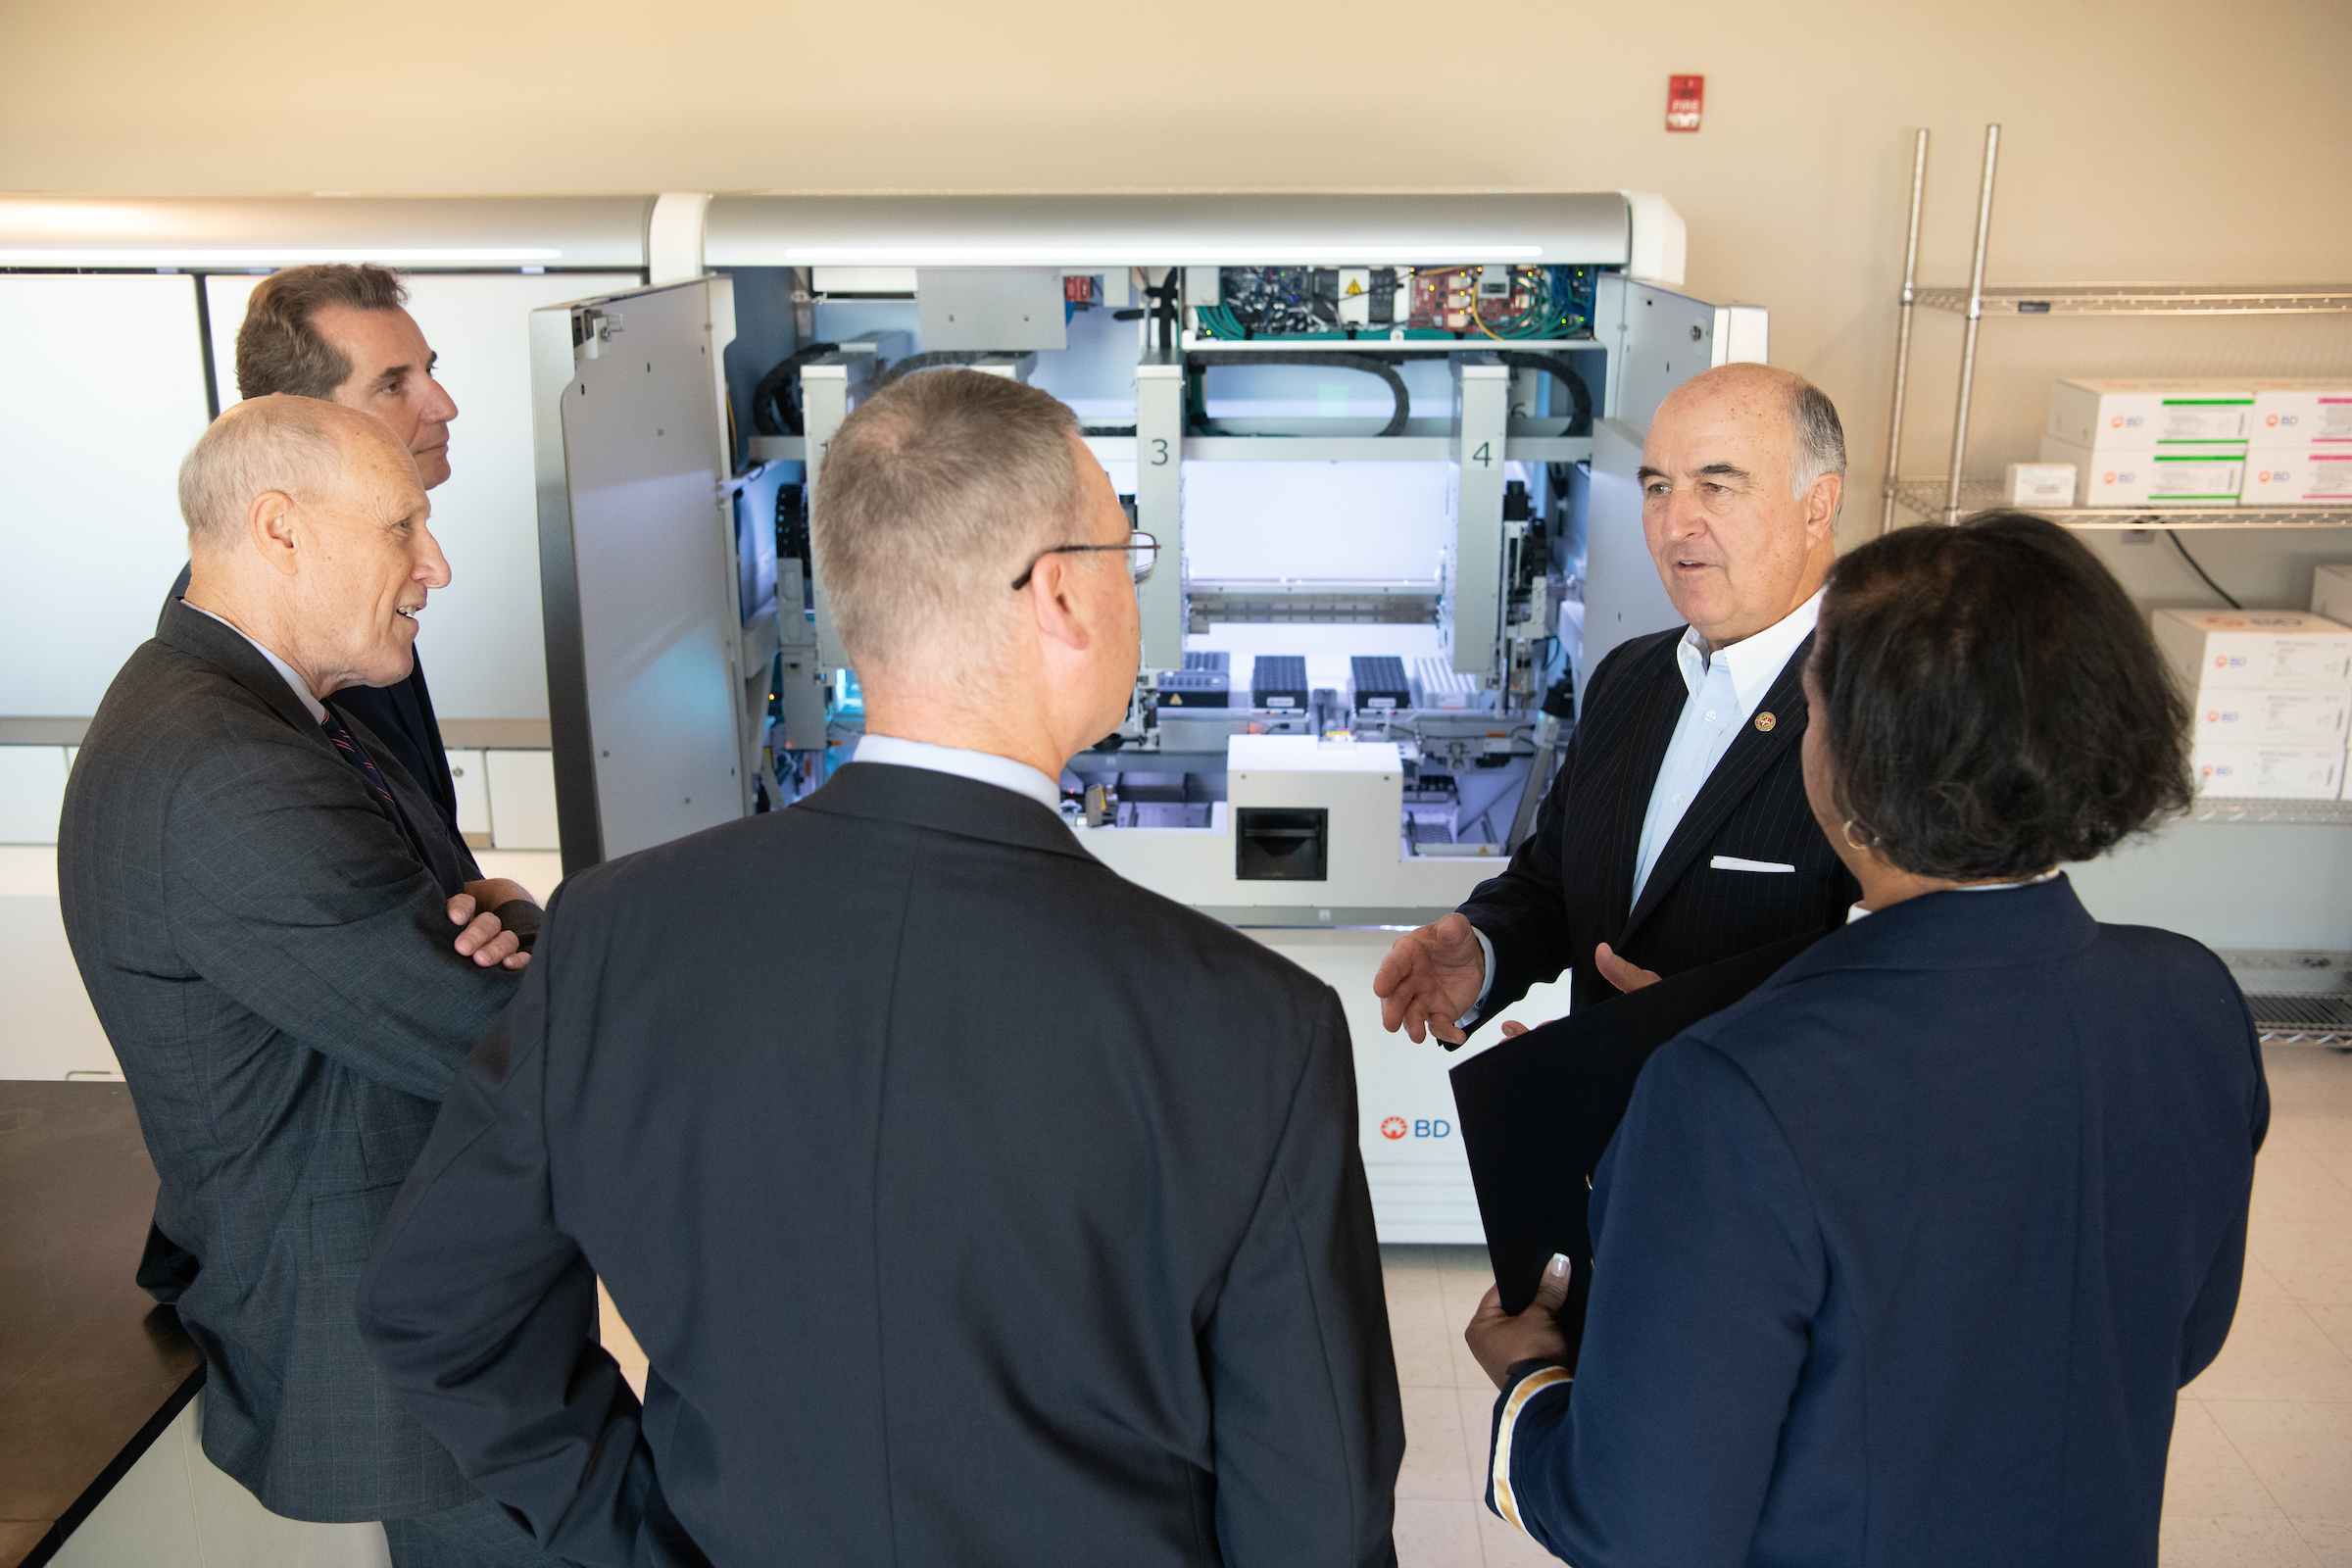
1678, 831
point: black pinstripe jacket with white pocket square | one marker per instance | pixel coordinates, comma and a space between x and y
1570, 887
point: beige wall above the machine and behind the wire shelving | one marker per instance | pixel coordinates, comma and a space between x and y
2146, 140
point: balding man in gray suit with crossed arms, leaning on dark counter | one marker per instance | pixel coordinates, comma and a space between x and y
288, 958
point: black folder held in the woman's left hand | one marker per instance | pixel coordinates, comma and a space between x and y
1539, 1111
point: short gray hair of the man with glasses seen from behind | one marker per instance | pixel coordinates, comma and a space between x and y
933, 497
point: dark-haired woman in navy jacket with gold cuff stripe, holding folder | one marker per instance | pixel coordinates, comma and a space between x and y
1906, 1257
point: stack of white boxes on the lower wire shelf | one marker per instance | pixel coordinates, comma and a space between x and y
2273, 697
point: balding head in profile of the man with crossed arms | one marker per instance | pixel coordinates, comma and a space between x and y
307, 528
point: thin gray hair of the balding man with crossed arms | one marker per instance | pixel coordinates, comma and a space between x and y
295, 445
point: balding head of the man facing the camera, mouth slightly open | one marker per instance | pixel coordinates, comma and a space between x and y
1742, 478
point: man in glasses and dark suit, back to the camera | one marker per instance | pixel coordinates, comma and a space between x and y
970, 1202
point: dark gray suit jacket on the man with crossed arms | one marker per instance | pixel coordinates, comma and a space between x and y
269, 953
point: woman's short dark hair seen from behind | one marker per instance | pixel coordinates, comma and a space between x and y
1993, 702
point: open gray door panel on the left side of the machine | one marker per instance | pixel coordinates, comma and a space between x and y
643, 572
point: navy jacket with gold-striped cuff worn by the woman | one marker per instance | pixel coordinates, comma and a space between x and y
1906, 1257
